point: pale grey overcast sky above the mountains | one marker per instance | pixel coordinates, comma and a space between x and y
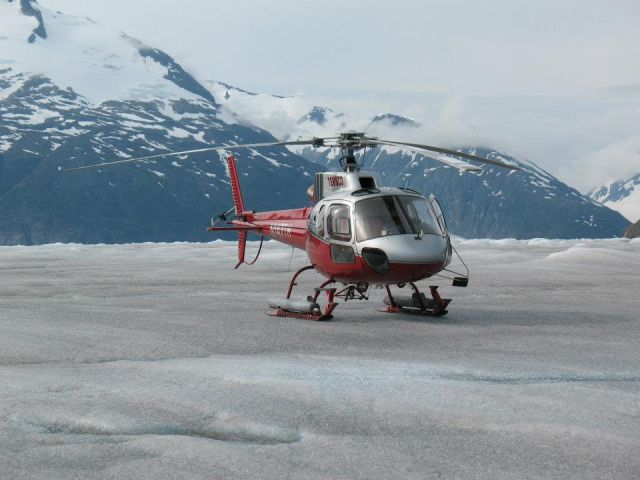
557, 82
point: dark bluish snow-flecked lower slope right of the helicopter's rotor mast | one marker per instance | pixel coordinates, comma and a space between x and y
497, 203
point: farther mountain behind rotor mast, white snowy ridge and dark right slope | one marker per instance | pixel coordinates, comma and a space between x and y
493, 203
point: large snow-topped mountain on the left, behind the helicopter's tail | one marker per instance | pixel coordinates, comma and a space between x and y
75, 93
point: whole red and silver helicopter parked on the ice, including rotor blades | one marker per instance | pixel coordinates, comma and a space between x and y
357, 233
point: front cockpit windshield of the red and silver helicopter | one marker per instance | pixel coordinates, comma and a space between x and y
394, 215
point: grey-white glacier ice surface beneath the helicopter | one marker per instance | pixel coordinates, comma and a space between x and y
157, 361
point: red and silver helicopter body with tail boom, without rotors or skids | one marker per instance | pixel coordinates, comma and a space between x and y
380, 236
